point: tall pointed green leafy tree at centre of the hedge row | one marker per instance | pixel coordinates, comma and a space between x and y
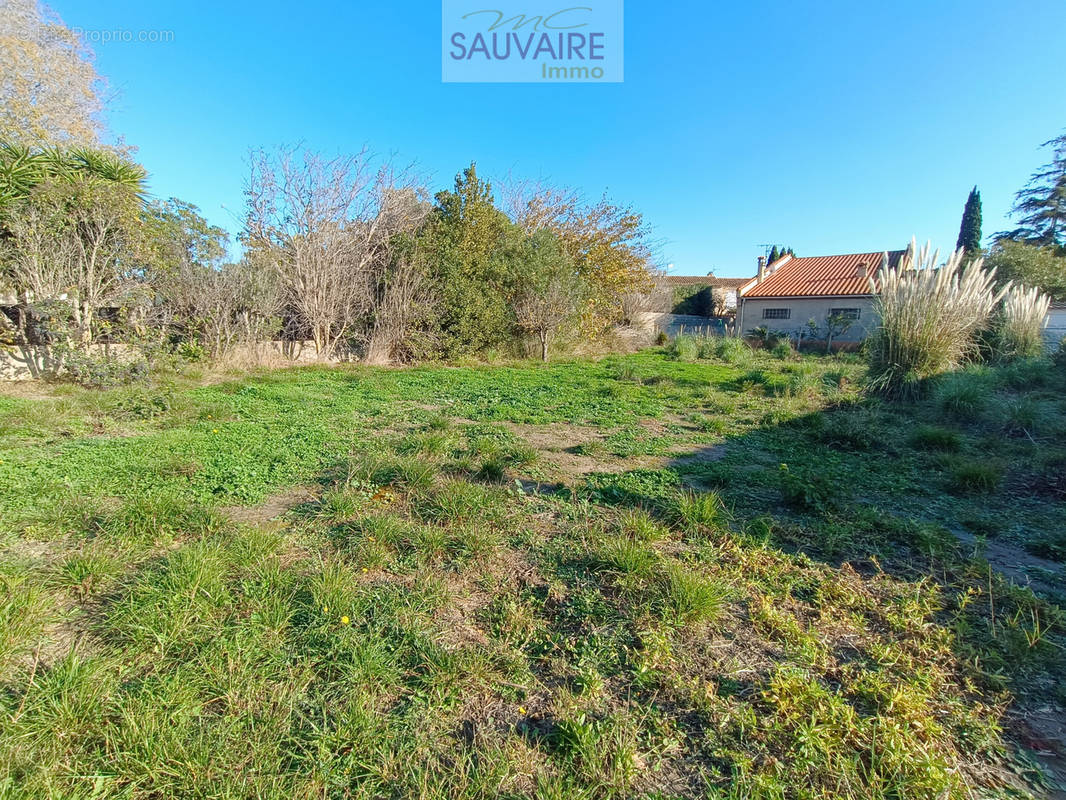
471, 245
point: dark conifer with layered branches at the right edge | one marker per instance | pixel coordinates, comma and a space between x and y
1041, 206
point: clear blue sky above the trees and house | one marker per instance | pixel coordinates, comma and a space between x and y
829, 126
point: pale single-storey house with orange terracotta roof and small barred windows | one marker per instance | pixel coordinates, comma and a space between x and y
789, 293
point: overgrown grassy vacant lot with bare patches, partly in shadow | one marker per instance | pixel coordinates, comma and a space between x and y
633, 578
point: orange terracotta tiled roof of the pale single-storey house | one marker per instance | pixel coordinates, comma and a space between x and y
821, 277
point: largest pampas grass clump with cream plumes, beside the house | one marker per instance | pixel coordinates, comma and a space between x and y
930, 317
